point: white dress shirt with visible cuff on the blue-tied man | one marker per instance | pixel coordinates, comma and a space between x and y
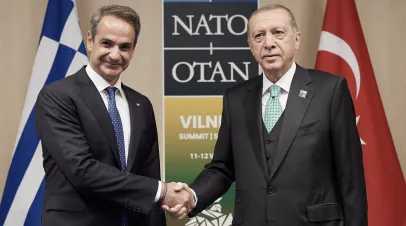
122, 107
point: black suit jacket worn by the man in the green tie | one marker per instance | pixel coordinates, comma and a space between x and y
317, 176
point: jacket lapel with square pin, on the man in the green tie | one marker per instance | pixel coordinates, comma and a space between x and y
295, 111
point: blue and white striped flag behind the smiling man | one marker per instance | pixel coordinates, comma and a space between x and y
61, 52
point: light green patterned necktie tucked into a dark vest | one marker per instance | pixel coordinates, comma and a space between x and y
273, 108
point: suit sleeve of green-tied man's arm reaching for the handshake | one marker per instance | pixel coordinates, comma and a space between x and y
218, 175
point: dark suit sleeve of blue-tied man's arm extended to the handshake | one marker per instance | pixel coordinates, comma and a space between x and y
62, 135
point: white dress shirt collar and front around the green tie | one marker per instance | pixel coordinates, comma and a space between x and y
284, 83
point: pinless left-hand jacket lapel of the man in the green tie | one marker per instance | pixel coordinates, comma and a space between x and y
253, 114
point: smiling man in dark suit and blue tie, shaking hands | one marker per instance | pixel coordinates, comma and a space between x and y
99, 137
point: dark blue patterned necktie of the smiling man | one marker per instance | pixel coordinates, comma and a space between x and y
118, 131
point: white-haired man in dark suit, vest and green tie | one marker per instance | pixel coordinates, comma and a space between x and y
288, 139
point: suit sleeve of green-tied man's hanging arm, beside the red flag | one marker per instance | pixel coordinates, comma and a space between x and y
348, 157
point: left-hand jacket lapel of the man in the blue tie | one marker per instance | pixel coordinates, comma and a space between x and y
91, 96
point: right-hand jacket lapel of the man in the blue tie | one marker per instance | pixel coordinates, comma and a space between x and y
136, 124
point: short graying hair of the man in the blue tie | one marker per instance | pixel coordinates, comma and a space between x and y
121, 12
